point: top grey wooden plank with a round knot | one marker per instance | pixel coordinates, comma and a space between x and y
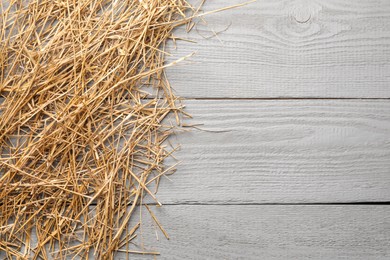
277, 48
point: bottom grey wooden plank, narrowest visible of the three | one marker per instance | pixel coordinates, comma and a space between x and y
270, 232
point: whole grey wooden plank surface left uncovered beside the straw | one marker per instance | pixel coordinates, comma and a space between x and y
295, 162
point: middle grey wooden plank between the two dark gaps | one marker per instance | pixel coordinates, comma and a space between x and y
282, 151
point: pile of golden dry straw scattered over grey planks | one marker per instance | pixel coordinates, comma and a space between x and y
81, 140
